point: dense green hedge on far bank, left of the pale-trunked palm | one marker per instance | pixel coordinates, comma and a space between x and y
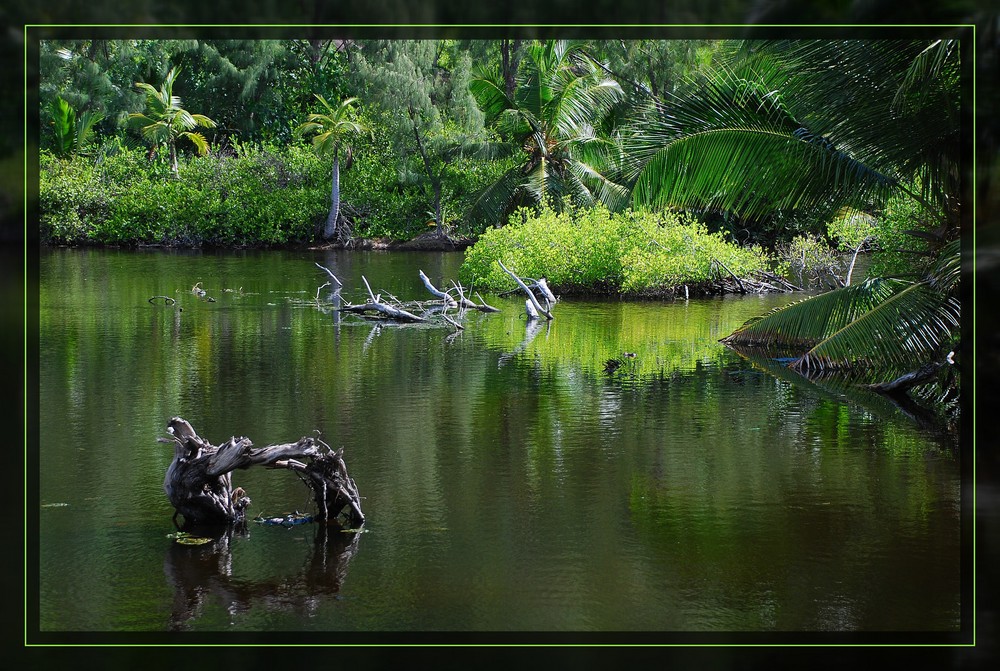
256, 198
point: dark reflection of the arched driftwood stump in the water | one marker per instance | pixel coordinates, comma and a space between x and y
204, 574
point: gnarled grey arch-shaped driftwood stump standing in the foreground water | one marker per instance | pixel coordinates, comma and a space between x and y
199, 479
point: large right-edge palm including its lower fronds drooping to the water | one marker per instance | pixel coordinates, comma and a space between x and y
796, 125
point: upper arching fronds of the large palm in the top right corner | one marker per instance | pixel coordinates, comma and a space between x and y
791, 125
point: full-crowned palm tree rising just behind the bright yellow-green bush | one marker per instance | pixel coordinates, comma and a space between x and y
559, 101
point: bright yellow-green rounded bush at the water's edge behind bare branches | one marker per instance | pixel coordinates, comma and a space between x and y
588, 249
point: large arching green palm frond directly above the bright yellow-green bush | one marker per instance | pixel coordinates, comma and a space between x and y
739, 147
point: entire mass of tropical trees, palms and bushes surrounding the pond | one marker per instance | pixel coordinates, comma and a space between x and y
641, 168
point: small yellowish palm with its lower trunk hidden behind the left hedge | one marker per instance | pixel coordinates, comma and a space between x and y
166, 122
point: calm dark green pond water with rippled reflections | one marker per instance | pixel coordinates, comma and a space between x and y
511, 483
